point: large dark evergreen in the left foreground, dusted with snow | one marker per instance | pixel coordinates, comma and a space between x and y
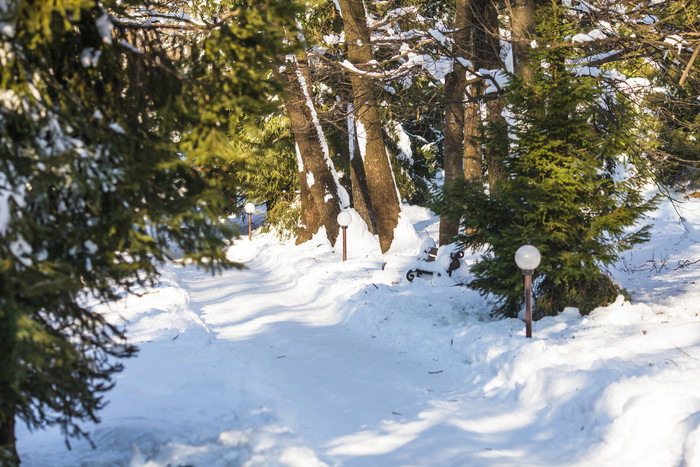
112, 135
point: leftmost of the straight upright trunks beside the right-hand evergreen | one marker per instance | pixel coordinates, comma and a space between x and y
455, 87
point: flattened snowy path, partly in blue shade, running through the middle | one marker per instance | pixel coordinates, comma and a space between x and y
332, 384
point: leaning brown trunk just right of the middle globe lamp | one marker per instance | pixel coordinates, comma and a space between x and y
370, 137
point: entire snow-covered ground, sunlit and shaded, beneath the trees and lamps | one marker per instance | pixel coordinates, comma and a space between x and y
303, 360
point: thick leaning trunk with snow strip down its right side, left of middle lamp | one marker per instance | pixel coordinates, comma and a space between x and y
318, 172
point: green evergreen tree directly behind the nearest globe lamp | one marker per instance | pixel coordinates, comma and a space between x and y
569, 136
